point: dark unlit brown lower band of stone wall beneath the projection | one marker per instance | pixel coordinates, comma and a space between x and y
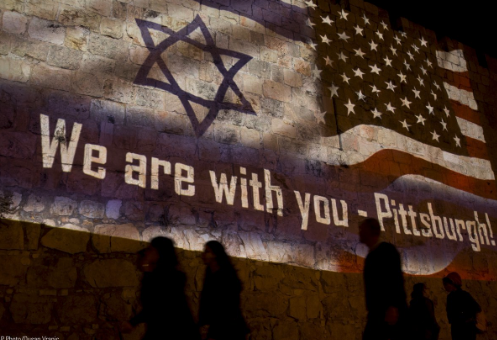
77, 285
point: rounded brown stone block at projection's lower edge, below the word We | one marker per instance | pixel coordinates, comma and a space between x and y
69, 238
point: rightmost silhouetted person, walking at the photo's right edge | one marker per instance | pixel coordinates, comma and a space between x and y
461, 309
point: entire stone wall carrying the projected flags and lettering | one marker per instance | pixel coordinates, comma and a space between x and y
271, 126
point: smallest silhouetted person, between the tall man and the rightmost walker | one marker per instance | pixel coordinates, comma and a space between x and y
422, 322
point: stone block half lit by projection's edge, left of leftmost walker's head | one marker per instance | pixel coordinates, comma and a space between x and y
109, 238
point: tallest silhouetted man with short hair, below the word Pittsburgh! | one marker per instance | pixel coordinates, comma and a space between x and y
384, 286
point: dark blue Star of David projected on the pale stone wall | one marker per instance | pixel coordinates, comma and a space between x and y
172, 86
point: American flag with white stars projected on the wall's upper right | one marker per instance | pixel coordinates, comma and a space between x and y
398, 85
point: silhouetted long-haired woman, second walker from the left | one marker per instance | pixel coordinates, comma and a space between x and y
220, 317
